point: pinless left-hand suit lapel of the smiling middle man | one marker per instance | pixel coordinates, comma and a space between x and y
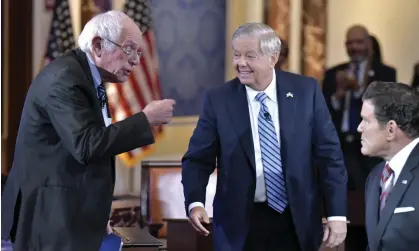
238, 110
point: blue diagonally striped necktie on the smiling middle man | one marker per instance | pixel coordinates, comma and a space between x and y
271, 158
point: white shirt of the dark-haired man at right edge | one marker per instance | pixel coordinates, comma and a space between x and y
398, 161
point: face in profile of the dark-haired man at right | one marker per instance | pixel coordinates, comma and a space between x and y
373, 136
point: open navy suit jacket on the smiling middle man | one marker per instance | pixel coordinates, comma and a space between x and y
308, 138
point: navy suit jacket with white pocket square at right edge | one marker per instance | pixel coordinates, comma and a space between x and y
390, 231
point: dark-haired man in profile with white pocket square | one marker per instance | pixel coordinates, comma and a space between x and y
390, 130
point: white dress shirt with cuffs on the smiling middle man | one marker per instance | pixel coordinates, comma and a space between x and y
254, 107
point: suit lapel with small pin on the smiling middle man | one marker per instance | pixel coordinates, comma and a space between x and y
287, 102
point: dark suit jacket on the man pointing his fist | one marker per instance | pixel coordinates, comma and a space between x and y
59, 192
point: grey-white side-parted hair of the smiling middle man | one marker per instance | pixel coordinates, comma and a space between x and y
269, 41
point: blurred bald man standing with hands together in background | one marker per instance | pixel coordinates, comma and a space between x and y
343, 86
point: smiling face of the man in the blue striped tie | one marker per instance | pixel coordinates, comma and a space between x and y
252, 67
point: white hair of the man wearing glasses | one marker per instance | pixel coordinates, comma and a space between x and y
107, 25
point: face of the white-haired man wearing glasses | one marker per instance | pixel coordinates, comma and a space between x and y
119, 63
